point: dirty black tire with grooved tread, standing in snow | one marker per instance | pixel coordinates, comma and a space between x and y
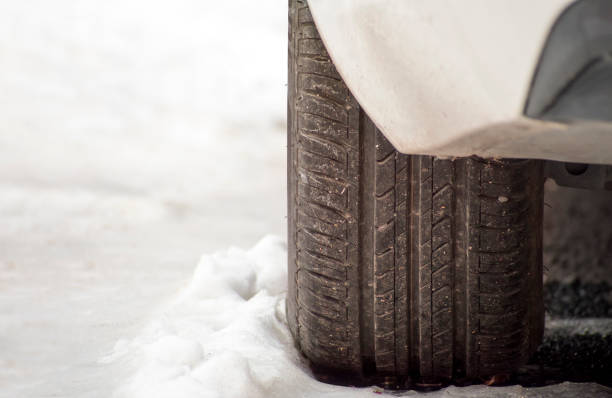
402, 265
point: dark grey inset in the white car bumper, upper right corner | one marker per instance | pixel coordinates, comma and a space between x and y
573, 79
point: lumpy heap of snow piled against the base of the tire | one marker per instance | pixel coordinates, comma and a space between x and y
225, 335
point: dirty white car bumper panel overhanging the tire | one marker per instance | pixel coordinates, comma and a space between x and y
450, 78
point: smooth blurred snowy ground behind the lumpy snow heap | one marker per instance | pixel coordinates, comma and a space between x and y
134, 136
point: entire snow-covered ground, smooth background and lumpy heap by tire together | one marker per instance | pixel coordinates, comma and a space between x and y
134, 136
